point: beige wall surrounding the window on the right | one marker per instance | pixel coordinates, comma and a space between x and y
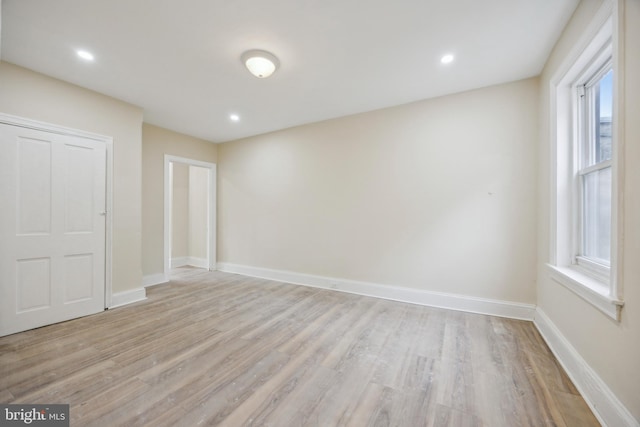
612, 349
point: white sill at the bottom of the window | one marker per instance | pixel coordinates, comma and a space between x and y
589, 289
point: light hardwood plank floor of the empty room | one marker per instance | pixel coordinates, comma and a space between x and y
211, 348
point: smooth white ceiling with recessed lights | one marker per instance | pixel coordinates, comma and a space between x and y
180, 60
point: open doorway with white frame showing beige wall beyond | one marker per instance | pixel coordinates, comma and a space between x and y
189, 213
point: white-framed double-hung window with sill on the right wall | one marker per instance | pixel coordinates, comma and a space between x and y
584, 149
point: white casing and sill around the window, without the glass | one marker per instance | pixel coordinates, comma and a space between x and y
600, 287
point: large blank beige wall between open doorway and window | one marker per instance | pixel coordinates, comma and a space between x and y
436, 195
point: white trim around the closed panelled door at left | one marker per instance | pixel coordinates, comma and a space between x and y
108, 141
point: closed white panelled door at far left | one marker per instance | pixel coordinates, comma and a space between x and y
52, 227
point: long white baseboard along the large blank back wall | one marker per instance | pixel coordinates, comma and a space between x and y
499, 308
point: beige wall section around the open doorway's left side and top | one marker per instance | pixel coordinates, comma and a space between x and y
156, 142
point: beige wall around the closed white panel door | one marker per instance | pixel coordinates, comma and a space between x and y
28, 94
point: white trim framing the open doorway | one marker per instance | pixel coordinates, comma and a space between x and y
212, 203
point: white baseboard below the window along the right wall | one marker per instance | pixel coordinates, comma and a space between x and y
604, 404
